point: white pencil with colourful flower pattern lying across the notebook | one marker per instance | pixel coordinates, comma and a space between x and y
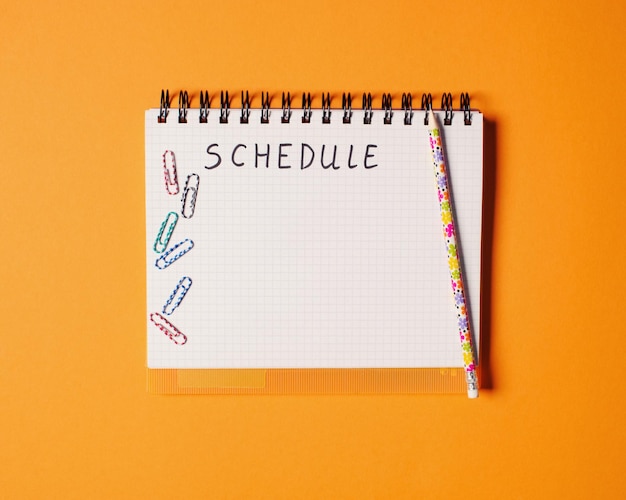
454, 263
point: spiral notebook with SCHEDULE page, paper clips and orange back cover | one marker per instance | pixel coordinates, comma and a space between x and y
300, 249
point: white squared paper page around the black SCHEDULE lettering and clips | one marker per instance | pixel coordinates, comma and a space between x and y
312, 268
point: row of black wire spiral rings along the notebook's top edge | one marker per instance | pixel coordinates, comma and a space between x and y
346, 104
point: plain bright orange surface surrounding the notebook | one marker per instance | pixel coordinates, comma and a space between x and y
75, 418
